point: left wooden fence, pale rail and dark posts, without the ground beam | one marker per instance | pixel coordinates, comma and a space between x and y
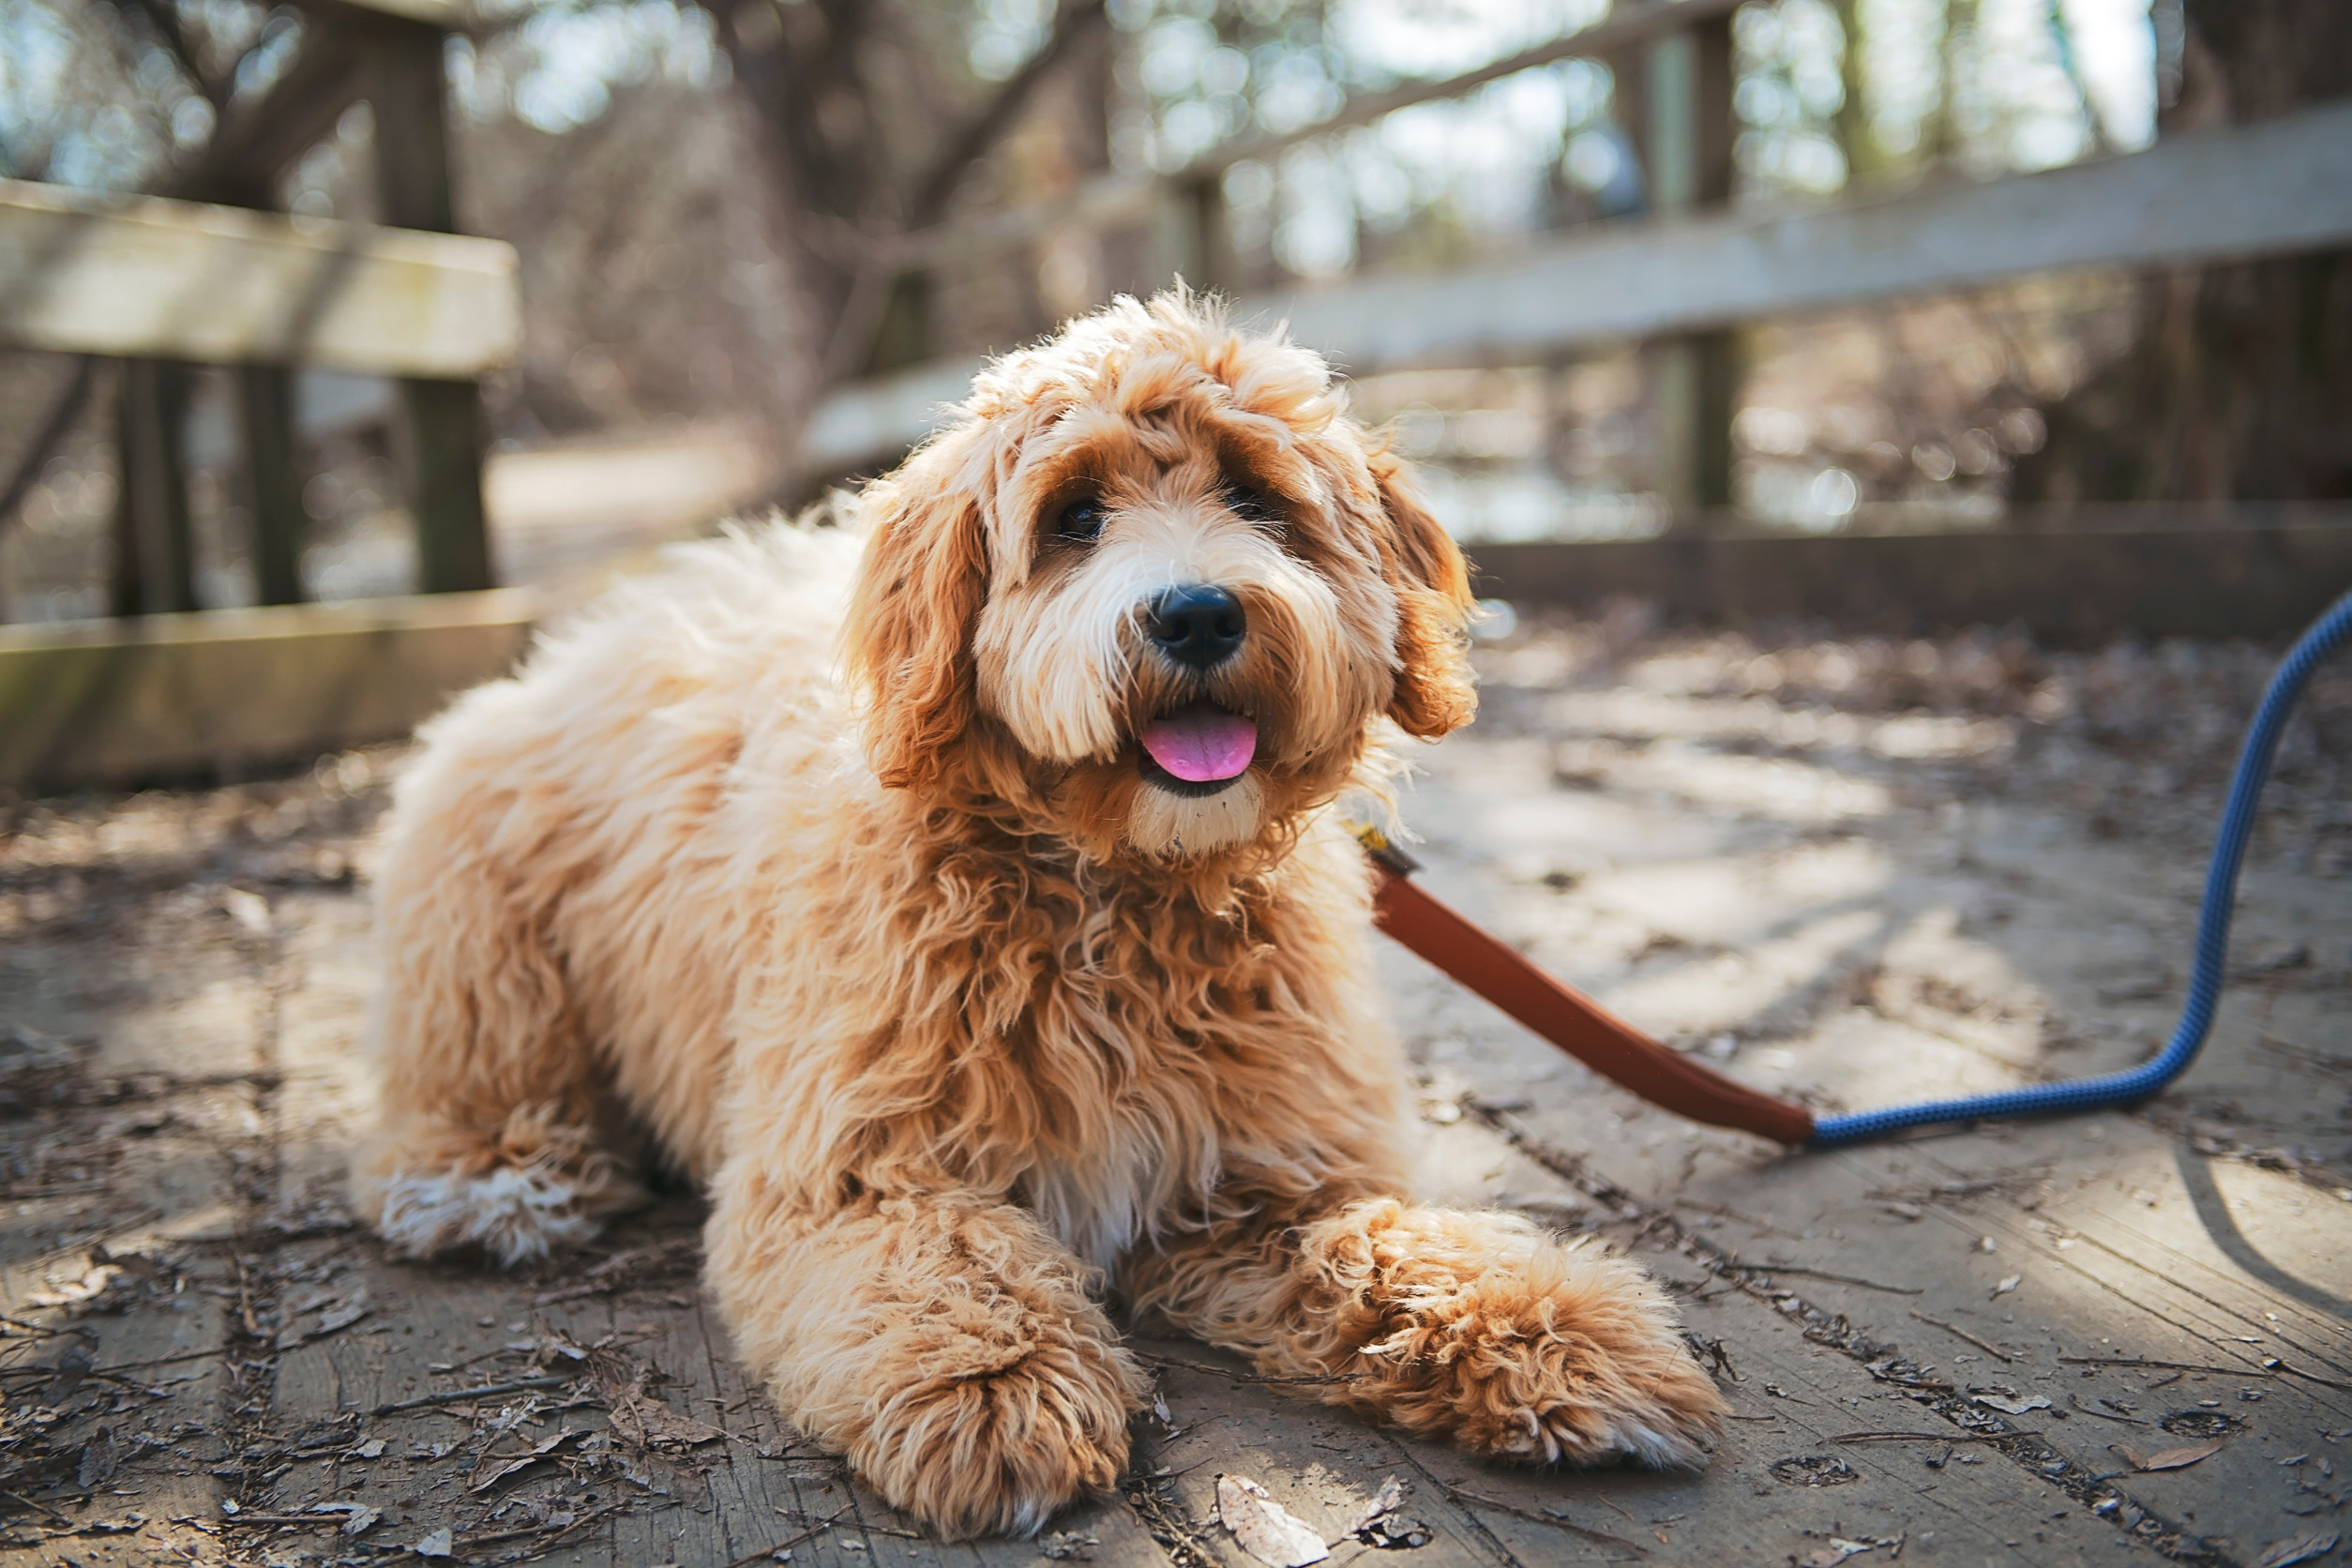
163, 283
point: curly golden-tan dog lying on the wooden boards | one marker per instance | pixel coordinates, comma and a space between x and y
958, 897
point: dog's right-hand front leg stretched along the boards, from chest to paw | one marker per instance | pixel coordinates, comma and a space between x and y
1448, 1325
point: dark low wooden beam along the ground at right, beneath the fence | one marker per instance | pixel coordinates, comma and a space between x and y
2252, 572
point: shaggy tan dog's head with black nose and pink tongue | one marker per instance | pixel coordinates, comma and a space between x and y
1161, 584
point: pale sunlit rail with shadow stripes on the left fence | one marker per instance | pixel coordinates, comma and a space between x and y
149, 276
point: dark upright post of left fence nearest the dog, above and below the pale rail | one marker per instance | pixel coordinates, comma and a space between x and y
446, 417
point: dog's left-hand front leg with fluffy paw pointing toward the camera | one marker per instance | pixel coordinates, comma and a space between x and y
947, 1346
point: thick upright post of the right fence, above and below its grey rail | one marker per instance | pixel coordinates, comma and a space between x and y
1685, 105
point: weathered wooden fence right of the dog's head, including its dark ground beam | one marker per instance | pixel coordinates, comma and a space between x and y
1683, 276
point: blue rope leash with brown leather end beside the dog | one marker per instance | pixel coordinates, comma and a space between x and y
1685, 1087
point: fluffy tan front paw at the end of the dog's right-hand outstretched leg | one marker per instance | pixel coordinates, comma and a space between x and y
1518, 1348
